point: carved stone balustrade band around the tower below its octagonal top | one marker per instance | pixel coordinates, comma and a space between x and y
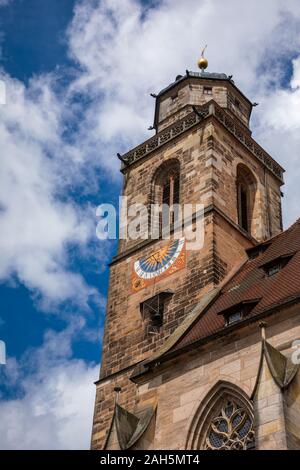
191, 120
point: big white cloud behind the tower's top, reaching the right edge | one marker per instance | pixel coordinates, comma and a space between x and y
127, 51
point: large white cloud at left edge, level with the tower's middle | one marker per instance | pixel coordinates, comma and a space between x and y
36, 225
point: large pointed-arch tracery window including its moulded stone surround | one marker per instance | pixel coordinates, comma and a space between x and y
223, 421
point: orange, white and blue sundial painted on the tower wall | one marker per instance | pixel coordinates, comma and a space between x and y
161, 262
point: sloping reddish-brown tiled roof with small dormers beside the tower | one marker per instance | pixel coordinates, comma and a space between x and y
251, 282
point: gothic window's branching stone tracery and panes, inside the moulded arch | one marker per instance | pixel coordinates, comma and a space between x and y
231, 428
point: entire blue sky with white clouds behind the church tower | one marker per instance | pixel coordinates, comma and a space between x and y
78, 76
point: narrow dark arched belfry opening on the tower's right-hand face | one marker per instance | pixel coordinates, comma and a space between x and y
246, 189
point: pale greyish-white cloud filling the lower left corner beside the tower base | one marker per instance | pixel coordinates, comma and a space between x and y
55, 412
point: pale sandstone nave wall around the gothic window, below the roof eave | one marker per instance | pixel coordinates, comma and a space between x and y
182, 385
